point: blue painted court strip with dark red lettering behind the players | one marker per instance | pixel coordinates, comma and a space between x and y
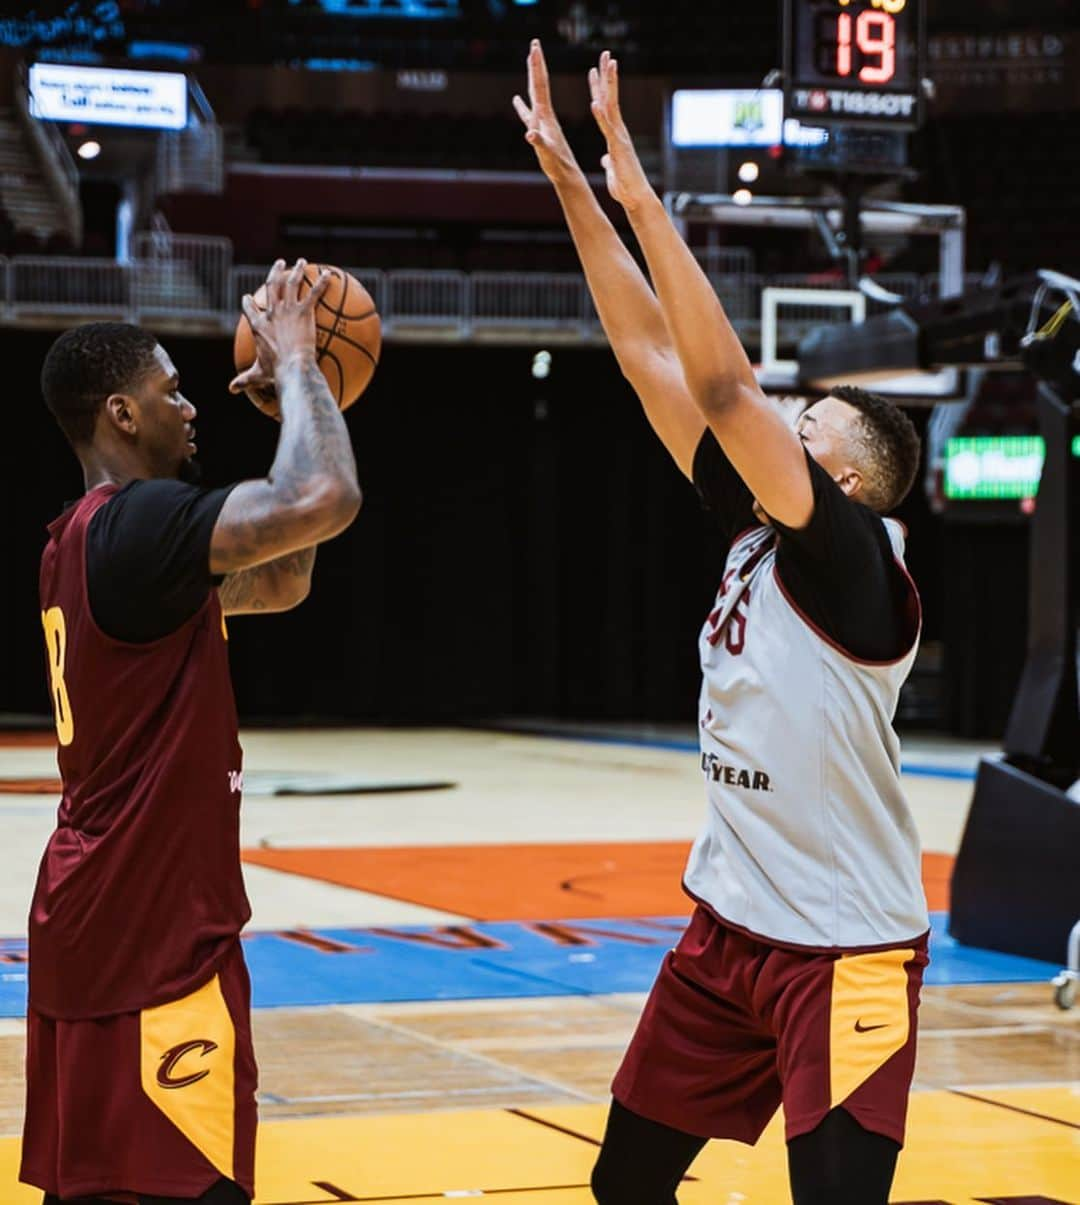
496, 961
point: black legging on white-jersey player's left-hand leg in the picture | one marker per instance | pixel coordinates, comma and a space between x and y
642, 1162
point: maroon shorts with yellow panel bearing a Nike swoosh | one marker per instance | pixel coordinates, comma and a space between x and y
735, 1027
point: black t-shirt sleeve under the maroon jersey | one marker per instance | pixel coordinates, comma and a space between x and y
149, 557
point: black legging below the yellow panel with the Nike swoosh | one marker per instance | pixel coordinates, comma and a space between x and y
841, 1163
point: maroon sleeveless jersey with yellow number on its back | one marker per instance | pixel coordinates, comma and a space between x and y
140, 892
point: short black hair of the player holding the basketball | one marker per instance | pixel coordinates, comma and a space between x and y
90, 363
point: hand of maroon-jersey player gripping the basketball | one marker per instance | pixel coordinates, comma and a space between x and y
283, 332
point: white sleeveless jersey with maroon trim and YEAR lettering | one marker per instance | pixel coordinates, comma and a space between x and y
808, 838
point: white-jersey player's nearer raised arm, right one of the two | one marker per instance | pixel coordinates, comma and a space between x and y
758, 439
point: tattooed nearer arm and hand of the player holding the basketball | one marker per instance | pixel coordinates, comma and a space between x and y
312, 492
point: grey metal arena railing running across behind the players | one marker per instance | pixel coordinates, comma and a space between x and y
175, 280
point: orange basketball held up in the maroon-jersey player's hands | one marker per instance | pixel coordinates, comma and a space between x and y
349, 336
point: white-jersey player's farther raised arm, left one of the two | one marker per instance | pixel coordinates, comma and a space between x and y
629, 309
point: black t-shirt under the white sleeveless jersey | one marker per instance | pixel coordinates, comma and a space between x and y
840, 571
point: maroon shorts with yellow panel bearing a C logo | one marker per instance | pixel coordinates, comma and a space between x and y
161, 1102
